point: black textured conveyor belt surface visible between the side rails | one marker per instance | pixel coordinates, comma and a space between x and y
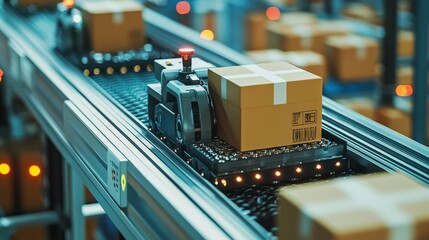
130, 90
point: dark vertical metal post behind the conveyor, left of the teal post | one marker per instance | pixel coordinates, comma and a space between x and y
389, 51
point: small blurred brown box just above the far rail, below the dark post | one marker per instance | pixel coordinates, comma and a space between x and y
395, 119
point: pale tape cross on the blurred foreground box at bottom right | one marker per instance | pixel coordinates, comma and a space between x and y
361, 195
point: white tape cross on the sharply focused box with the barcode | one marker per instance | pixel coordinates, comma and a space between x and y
280, 84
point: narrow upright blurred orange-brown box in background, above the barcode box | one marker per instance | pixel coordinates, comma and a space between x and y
256, 36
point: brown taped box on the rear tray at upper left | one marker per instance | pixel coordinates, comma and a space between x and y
113, 26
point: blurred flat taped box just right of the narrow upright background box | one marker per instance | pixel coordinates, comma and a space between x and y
295, 38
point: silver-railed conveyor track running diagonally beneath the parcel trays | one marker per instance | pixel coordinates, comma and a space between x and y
112, 109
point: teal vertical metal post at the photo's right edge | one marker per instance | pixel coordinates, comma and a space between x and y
421, 24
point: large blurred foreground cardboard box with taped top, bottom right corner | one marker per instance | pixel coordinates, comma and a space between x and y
374, 207
